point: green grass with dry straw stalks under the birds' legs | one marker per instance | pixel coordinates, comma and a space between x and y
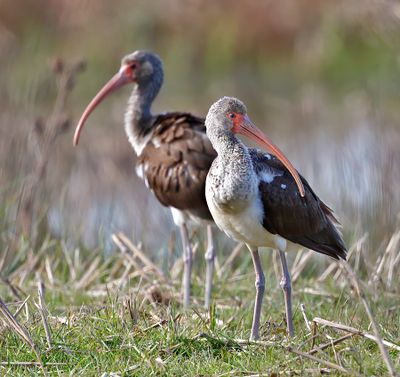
125, 317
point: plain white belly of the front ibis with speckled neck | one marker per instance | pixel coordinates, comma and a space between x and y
244, 224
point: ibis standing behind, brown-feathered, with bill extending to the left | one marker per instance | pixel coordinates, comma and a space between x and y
174, 153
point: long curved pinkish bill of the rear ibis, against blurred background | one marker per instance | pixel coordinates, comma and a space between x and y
121, 78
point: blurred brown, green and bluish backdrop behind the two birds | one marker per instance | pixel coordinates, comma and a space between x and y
321, 78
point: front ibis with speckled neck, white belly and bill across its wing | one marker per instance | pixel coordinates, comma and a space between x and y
261, 200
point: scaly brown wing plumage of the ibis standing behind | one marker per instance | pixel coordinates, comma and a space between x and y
176, 160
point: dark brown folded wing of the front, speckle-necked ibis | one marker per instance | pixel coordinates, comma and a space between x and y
306, 221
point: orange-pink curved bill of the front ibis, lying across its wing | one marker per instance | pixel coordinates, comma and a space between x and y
245, 127
